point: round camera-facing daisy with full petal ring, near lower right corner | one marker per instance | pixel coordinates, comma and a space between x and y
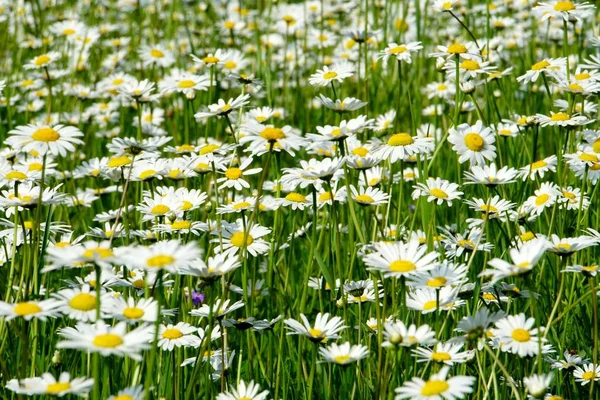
516, 334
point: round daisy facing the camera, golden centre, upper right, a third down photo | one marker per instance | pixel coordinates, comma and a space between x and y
473, 143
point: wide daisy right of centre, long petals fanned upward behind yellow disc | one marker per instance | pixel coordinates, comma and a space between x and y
400, 259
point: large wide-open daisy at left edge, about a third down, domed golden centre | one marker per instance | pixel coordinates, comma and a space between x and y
56, 140
